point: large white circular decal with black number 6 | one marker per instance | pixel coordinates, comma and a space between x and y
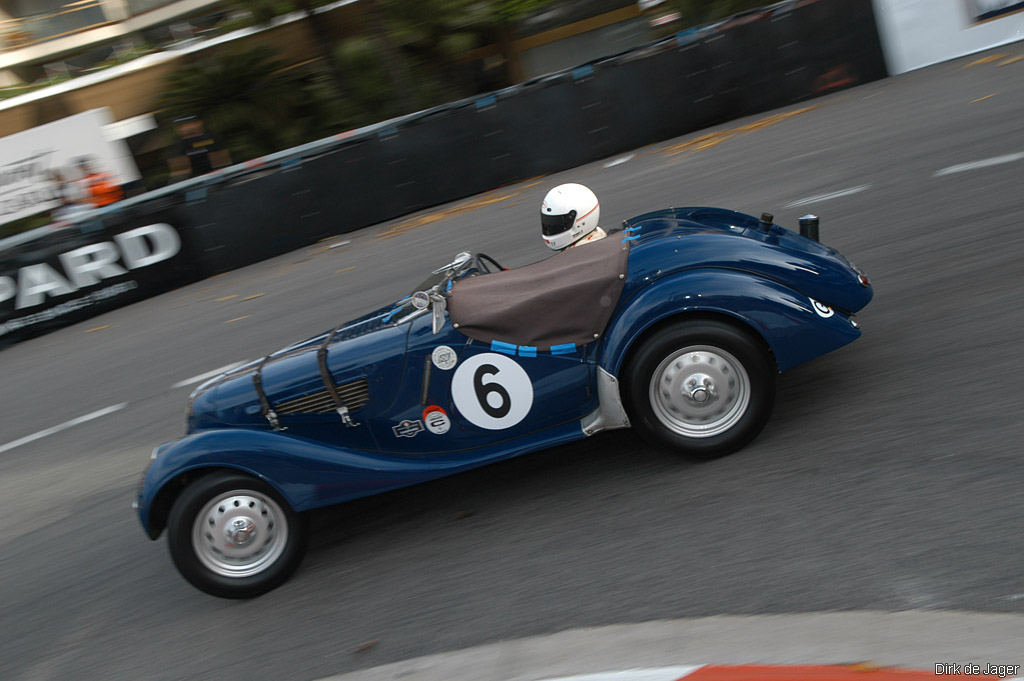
492, 392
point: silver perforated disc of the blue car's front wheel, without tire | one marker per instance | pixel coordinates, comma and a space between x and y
240, 534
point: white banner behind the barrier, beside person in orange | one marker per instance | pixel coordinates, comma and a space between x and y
40, 165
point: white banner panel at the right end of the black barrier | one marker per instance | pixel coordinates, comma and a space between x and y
919, 33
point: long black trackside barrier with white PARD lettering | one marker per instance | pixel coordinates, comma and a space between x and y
779, 56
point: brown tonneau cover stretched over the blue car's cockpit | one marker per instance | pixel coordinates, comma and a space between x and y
566, 300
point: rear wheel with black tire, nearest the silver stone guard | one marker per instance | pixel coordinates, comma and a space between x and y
726, 366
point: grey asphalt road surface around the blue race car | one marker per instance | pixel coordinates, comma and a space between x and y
889, 478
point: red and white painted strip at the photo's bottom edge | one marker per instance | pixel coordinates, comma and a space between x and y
864, 672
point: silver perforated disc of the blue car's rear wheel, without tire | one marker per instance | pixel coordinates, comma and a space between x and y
700, 392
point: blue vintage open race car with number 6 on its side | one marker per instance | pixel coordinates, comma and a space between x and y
676, 326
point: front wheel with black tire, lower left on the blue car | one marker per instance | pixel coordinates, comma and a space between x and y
271, 538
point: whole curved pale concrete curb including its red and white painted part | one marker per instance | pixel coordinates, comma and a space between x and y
815, 647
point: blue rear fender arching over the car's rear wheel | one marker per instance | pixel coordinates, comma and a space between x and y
786, 319
